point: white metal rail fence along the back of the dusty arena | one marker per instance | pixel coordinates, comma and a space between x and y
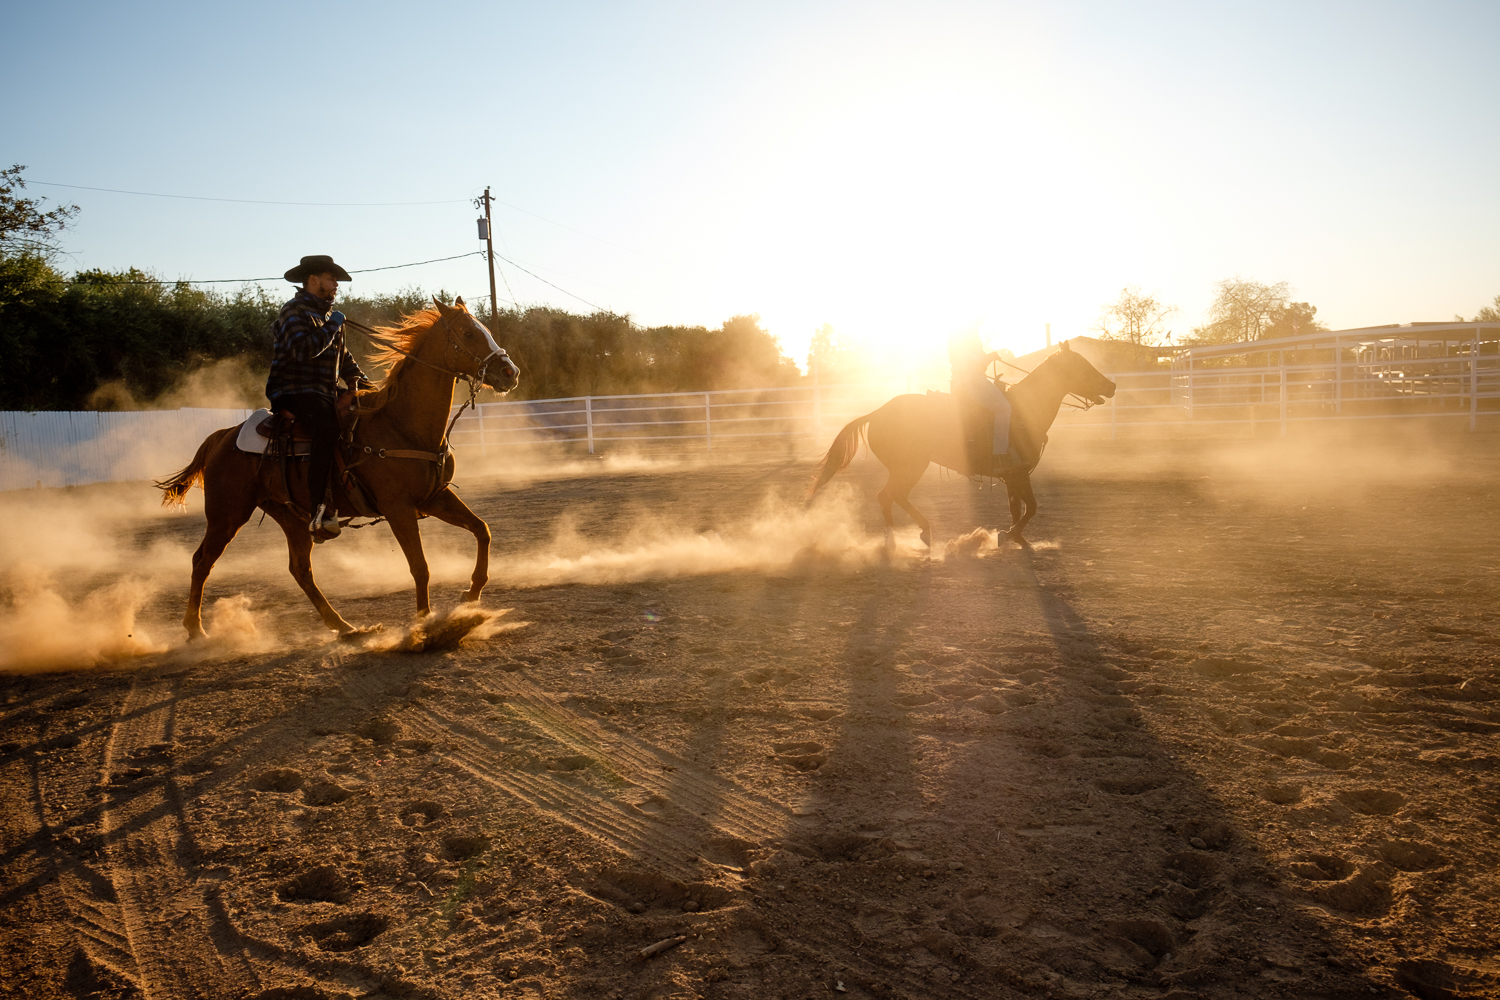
1418, 373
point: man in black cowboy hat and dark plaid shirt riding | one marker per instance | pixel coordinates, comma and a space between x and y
308, 361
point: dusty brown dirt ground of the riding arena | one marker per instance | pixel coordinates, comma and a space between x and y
1228, 732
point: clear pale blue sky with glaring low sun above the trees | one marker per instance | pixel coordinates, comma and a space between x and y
896, 170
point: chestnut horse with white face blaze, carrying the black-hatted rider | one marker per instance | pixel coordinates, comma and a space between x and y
400, 455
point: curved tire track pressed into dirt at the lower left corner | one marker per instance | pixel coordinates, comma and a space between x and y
181, 942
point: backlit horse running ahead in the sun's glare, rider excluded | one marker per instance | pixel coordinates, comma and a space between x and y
911, 433
